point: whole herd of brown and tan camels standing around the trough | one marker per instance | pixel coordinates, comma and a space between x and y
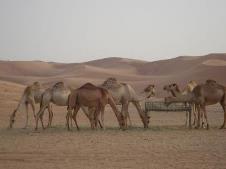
92, 100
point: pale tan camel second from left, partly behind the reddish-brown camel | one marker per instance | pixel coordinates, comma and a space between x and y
58, 95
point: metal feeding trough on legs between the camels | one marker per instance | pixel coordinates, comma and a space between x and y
173, 107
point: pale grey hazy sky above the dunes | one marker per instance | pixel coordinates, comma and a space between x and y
81, 30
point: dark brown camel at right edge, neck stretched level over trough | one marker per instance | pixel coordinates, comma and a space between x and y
203, 95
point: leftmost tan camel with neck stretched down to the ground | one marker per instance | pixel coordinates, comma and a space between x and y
31, 95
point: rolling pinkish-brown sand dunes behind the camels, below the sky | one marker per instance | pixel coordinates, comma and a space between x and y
138, 73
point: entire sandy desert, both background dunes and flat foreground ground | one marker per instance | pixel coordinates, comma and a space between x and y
165, 144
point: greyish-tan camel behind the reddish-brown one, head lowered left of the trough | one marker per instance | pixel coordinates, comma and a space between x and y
123, 94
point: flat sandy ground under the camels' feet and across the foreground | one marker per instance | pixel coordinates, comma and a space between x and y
166, 144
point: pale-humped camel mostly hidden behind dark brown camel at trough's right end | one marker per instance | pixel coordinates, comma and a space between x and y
175, 92
